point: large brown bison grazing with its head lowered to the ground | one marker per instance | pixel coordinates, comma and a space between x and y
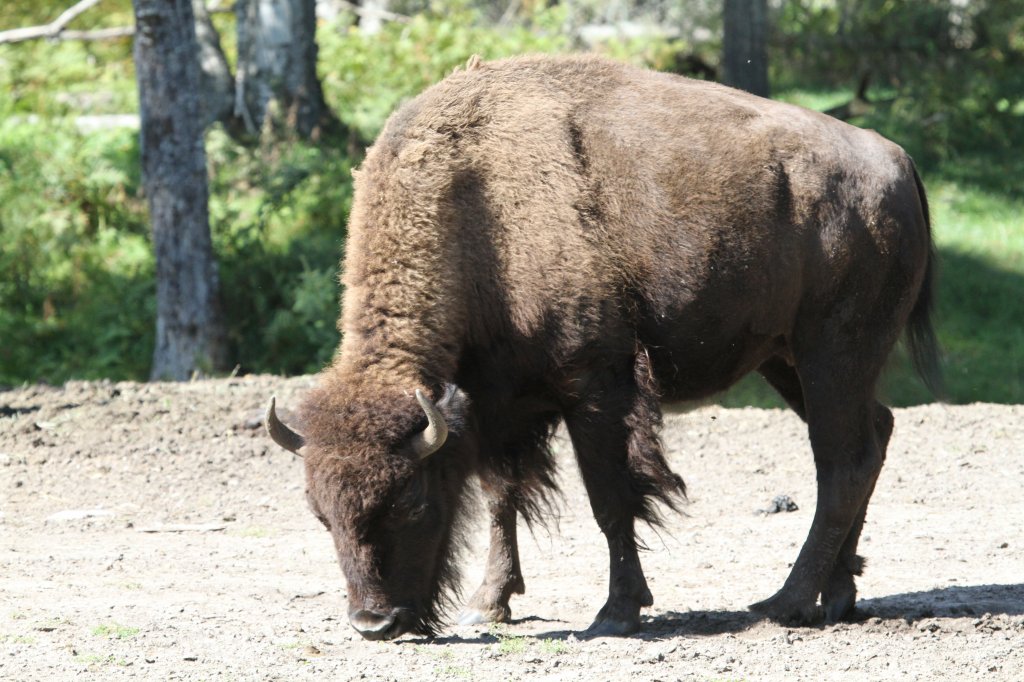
545, 240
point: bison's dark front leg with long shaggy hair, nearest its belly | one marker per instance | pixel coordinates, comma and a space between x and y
615, 435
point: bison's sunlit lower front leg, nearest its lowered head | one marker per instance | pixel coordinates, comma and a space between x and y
503, 577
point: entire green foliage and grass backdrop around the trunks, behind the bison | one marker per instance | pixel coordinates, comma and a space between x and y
76, 265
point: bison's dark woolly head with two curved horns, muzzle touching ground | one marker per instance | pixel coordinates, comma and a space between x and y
388, 480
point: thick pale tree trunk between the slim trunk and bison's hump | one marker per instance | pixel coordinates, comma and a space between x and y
277, 80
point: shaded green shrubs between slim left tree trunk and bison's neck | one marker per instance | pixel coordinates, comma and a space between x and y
278, 216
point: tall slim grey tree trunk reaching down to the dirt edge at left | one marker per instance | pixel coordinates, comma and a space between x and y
190, 328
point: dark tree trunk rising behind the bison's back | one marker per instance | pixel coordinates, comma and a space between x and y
745, 58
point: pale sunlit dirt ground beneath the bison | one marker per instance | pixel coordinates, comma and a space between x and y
153, 532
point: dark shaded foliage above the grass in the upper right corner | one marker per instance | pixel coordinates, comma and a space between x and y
948, 75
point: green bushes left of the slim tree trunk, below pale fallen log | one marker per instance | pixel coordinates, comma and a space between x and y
76, 269
